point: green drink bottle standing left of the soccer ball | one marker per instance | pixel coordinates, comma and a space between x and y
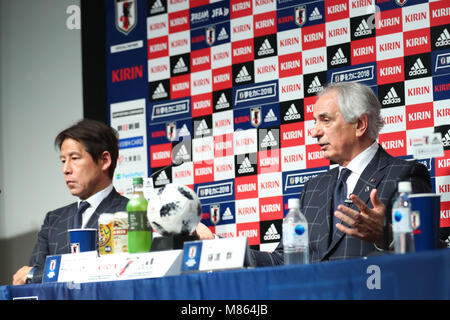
139, 231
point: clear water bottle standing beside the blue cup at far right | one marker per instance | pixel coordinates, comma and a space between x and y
401, 220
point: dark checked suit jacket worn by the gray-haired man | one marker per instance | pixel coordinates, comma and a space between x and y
382, 173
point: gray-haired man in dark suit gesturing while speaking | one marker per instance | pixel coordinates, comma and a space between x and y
347, 122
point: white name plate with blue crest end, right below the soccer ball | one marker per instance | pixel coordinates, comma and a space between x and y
217, 254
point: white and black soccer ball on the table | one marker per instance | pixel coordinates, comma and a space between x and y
174, 209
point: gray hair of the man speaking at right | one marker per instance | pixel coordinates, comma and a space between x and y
354, 100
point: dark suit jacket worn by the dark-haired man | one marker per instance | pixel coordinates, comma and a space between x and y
53, 238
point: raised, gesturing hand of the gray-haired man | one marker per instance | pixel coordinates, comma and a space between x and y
366, 224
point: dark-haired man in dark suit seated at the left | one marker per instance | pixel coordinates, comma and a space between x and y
89, 152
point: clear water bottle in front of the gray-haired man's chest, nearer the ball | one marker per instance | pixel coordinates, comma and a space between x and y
295, 235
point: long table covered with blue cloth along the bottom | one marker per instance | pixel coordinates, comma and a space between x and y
424, 275
